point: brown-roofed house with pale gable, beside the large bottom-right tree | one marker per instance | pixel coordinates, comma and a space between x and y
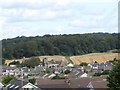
88, 82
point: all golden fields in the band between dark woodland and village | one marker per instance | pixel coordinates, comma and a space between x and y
88, 58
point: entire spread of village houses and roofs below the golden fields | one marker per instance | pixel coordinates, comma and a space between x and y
76, 79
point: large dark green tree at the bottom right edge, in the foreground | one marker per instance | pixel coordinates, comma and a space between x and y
114, 76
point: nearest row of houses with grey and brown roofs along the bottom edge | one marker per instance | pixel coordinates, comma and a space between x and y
70, 84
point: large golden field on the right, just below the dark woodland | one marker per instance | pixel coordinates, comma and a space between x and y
89, 58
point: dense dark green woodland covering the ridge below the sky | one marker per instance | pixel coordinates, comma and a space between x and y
72, 44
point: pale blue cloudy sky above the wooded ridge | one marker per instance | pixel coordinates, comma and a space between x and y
40, 17
